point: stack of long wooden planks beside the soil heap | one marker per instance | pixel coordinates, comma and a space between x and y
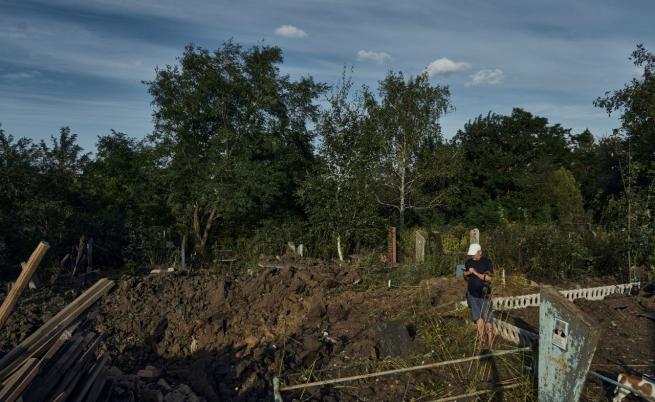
60, 361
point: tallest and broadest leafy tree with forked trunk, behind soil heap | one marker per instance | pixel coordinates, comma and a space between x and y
232, 136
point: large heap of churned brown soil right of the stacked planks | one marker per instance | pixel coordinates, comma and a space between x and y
225, 336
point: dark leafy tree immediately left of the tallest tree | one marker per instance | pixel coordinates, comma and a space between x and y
124, 188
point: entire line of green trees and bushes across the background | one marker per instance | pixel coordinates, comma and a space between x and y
244, 158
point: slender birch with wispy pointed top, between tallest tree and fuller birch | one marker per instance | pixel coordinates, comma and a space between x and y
337, 194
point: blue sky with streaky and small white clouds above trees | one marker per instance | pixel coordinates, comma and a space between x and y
81, 63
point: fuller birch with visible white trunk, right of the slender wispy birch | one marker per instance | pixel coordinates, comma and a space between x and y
409, 140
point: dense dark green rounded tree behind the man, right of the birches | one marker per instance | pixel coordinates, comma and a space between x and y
508, 163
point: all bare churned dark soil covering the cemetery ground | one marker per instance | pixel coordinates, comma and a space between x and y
225, 336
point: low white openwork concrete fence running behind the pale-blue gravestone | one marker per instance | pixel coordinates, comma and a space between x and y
533, 300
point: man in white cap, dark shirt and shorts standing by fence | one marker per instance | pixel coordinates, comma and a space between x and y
477, 274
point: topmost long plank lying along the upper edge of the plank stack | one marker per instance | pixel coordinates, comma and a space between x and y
49, 331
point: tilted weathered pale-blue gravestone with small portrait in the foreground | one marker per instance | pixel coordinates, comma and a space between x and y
567, 343
